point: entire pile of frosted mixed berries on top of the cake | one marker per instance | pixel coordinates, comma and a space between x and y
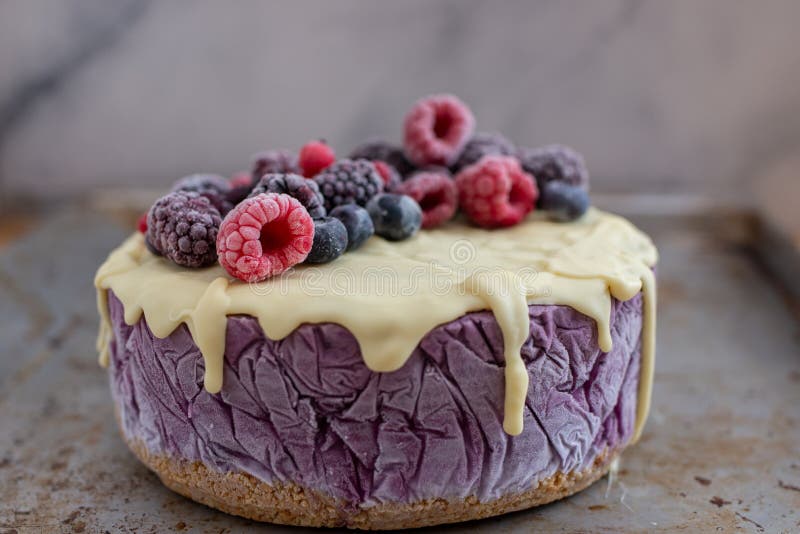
312, 208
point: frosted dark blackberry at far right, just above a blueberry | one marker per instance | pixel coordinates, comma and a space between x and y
555, 163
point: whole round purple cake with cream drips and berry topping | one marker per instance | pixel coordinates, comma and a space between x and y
459, 371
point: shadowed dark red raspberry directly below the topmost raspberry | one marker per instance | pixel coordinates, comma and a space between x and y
435, 193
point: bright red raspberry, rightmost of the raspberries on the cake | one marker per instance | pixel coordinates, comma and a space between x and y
496, 191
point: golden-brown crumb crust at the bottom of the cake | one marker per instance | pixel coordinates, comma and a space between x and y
242, 494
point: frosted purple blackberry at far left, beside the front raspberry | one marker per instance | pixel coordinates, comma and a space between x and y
183, 227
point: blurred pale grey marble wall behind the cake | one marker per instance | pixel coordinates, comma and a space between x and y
680, 96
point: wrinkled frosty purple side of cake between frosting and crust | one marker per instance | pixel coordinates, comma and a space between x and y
306, 409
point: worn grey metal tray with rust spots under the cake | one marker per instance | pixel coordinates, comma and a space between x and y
721, 450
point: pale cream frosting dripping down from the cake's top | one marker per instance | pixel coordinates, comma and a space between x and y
389, 295
